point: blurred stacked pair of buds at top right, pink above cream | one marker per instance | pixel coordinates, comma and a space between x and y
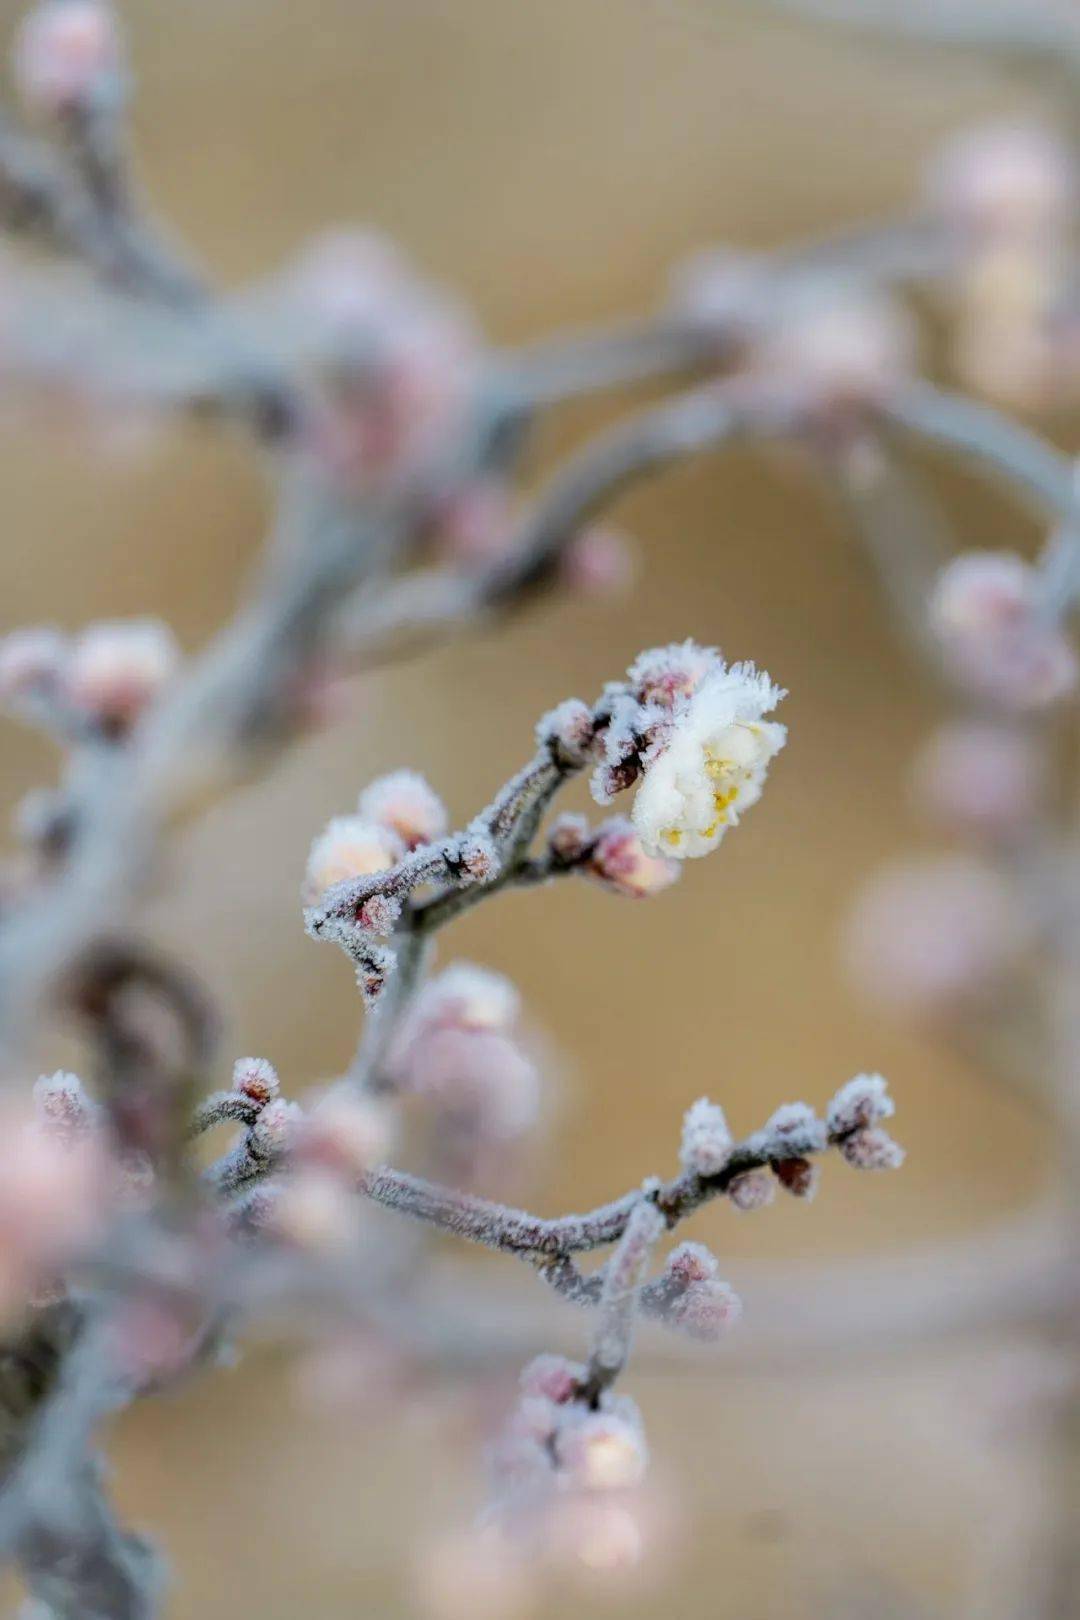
1008, 198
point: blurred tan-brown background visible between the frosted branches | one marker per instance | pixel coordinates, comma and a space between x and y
551, 163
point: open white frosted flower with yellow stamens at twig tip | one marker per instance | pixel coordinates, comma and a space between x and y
710, 764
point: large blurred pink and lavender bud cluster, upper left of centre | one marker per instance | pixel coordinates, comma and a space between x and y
401, 359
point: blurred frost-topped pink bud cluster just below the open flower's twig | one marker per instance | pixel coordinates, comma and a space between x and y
461, 1054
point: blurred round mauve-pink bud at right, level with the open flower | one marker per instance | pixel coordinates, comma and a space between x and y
982, 778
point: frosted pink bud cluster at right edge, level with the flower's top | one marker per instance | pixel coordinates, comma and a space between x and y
995, 634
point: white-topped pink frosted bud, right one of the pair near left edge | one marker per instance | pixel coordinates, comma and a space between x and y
117, 668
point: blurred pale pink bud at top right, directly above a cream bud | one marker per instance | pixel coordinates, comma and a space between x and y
1006, 181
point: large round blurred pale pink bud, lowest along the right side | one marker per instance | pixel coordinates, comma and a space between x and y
932, 934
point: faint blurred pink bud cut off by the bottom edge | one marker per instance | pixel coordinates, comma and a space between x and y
474, 1575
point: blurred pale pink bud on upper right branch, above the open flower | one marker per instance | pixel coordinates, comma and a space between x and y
843, 356
